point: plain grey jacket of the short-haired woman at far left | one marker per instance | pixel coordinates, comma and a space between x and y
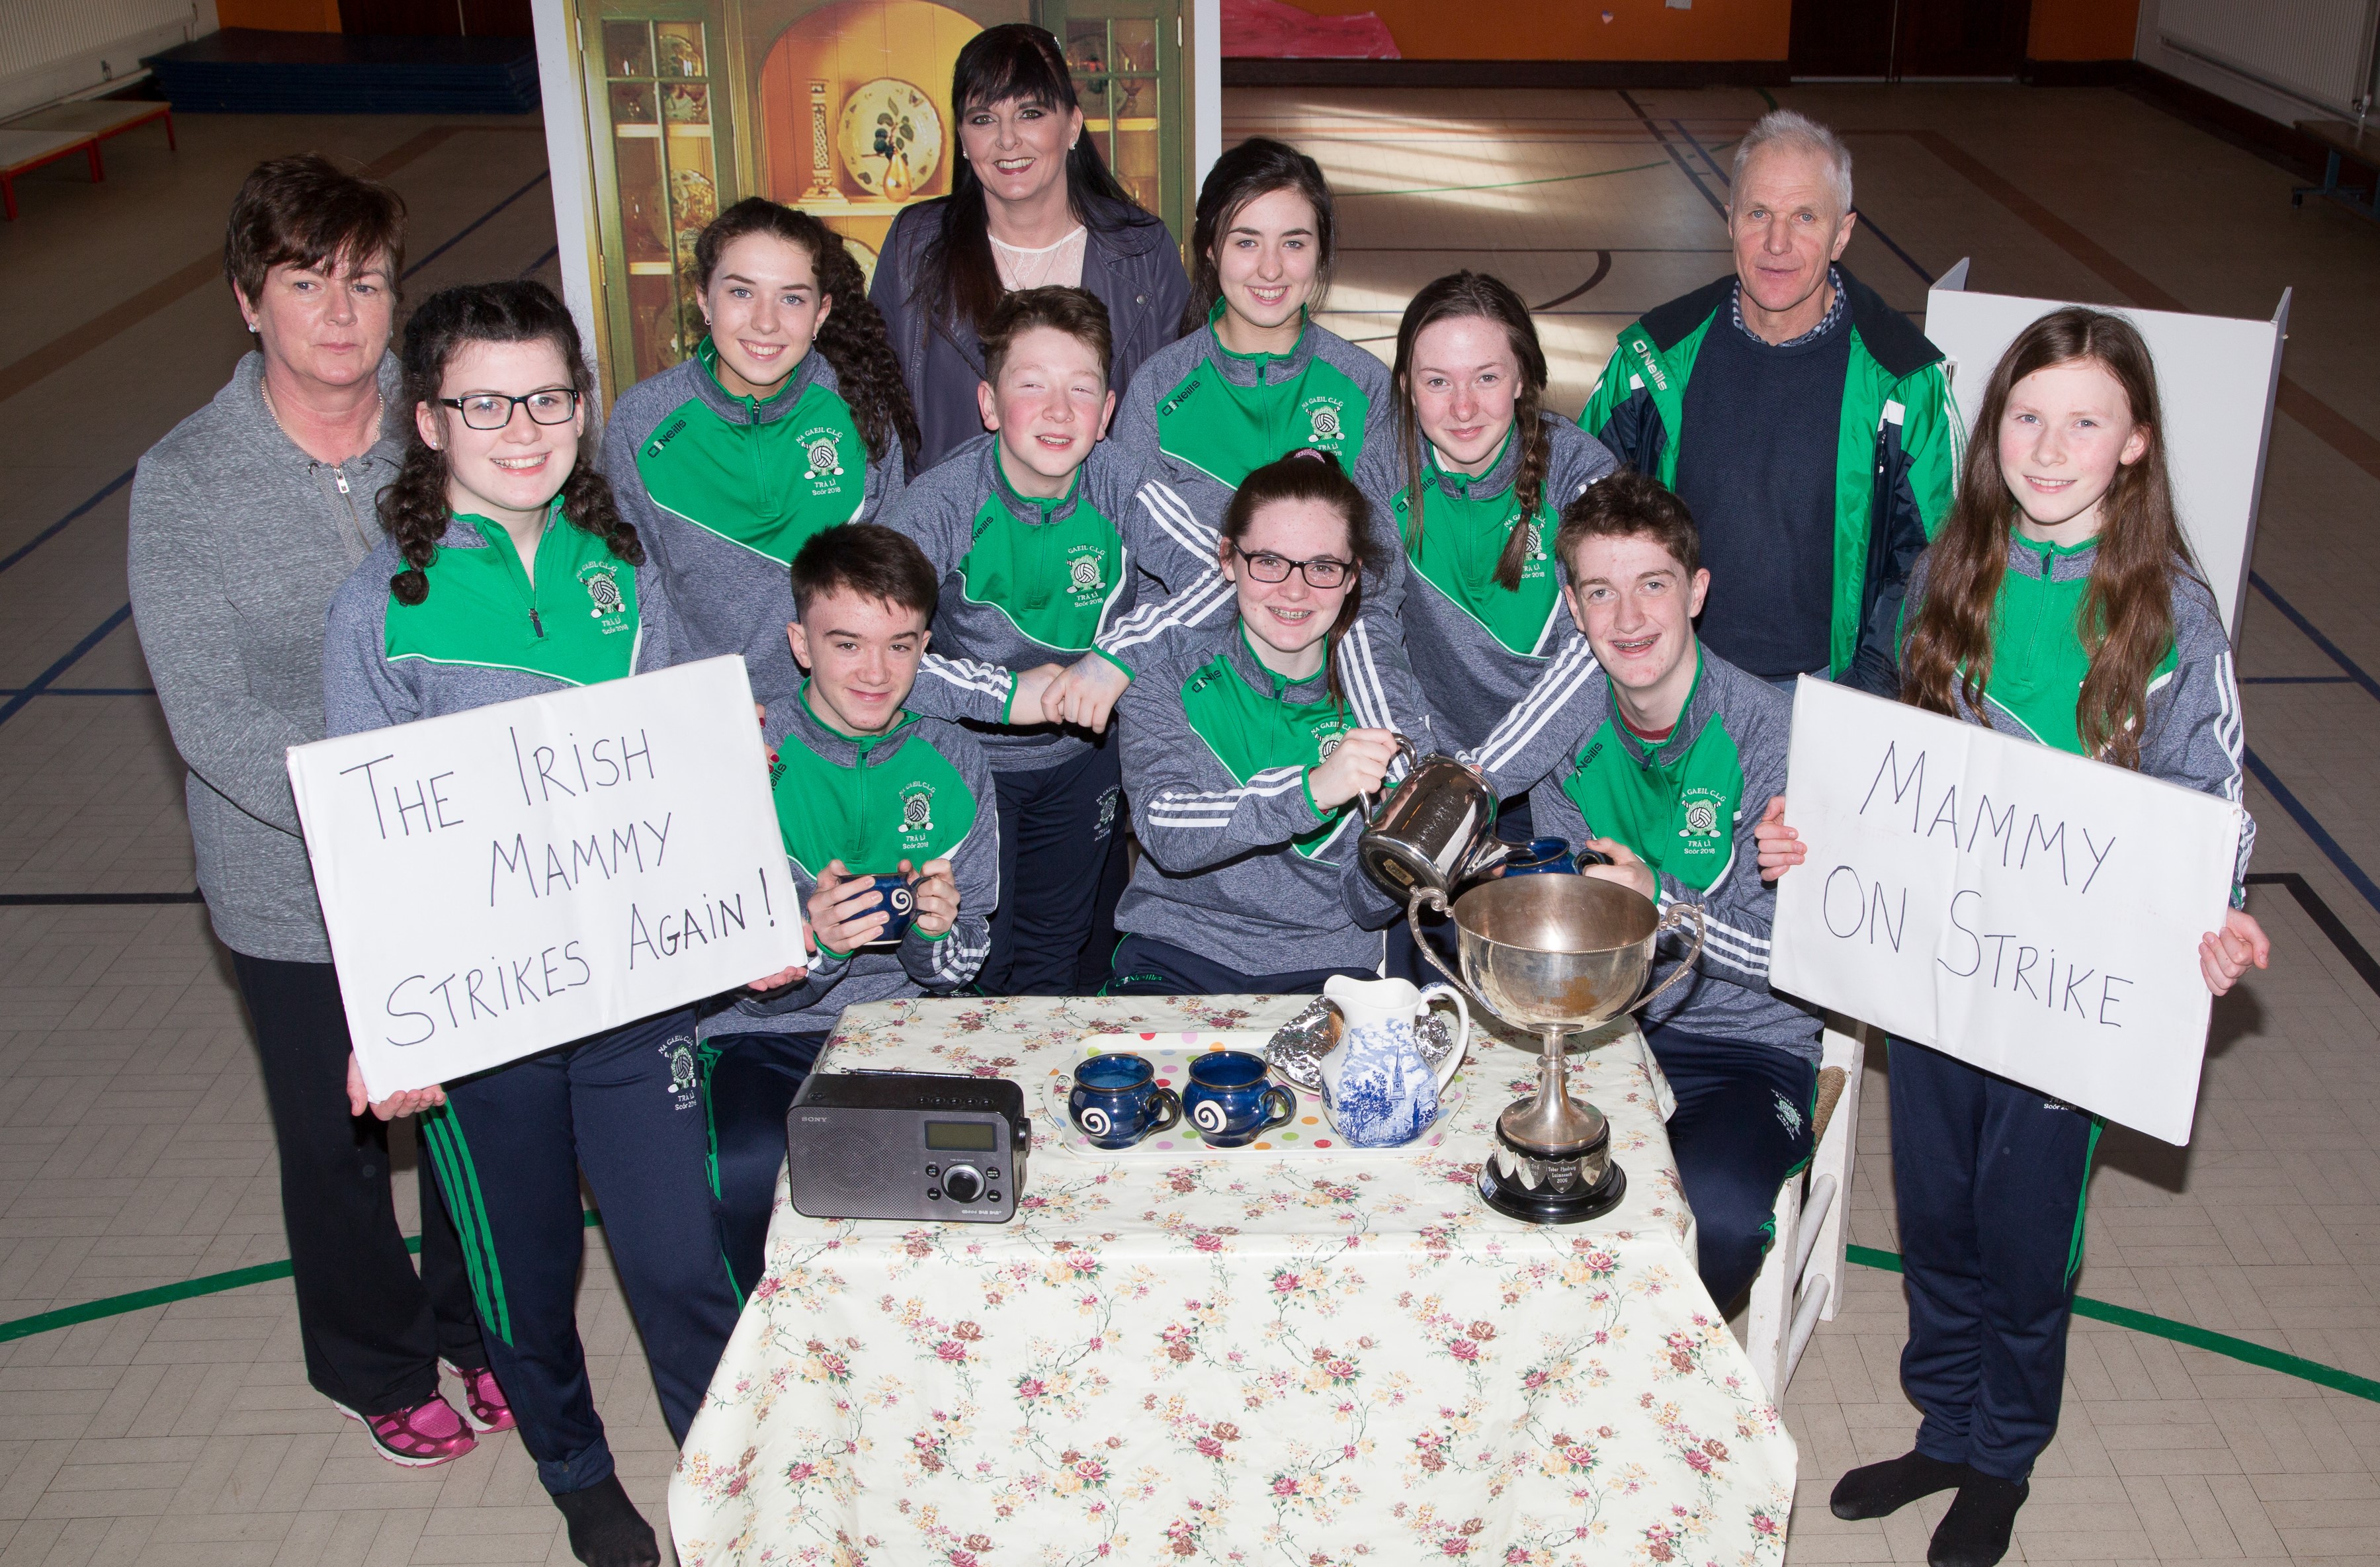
237, 547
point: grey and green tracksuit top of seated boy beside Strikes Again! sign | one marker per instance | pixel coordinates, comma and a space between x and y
920, 792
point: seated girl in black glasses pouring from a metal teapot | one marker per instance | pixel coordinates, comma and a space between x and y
1244, 761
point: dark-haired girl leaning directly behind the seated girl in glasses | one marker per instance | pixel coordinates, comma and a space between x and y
1251, 382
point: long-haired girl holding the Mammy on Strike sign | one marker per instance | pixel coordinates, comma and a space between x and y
2058, 604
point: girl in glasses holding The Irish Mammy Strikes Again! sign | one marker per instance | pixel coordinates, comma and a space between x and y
511, 573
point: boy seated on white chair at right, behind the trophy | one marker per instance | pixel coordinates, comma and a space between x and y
1662, 758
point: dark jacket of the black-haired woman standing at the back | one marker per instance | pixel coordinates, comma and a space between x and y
1129, 261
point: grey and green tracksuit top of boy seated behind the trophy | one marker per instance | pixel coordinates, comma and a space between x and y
1560, 730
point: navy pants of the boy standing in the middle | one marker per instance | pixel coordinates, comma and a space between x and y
1058, 842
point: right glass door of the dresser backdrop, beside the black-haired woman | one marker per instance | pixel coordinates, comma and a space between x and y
1129, 73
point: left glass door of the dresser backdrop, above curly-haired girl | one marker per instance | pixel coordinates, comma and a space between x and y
660, 113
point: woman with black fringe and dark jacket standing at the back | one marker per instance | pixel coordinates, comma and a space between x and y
1032, 204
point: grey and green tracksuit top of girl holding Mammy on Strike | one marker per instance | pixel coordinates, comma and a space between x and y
2191, 723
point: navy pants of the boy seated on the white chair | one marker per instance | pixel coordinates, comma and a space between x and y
1741, 1128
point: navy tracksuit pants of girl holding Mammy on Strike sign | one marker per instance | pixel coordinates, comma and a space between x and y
1991, 1182
